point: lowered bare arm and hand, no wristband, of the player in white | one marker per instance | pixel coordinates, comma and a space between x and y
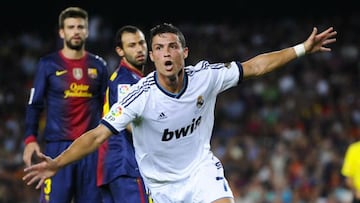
85, 144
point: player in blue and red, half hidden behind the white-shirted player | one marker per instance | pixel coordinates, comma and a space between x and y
118, 174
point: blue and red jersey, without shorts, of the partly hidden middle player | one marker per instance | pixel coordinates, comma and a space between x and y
116, 155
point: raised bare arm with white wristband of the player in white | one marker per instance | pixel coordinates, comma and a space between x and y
267, 62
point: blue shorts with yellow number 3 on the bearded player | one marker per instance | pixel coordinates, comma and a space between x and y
75, 182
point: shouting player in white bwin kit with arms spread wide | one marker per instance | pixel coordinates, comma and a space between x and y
171, 111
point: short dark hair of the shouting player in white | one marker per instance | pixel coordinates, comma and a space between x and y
166, 28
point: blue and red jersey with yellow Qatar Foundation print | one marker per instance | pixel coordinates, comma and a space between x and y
69, 93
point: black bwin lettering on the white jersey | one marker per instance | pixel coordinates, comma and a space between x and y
182, 132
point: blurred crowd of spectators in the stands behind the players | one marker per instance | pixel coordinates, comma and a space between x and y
281, 138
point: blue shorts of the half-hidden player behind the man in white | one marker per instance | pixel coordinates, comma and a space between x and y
125, 189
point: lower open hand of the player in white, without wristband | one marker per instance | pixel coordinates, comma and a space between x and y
41, 171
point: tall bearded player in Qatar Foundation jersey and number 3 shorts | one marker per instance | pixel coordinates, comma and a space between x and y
70, 87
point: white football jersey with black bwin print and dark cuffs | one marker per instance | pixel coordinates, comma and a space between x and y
172, 133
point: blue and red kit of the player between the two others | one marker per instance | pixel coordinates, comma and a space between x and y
117, 167
